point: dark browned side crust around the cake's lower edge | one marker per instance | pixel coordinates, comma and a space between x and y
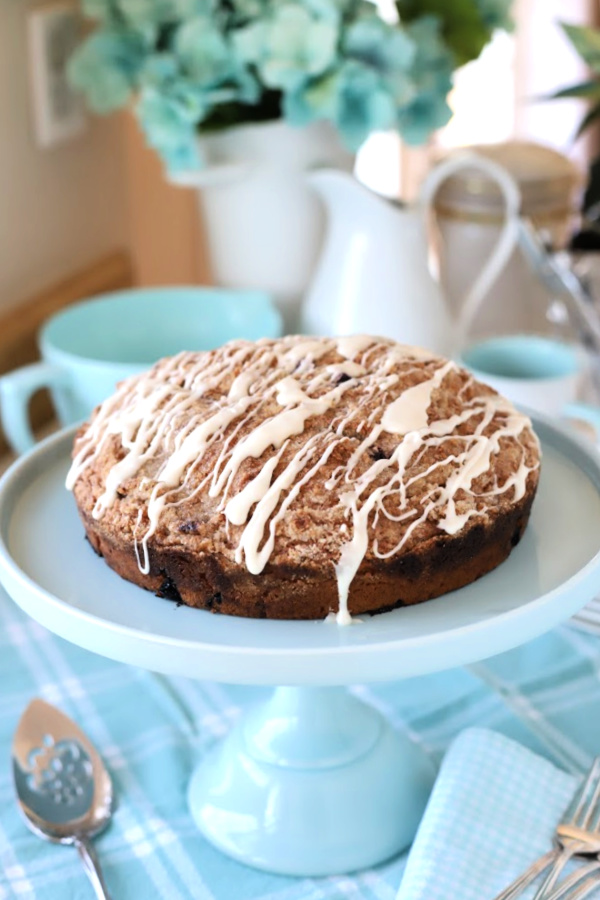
440, 565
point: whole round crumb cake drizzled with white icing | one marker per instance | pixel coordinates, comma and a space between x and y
299, 477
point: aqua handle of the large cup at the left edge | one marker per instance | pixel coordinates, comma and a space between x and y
16, 390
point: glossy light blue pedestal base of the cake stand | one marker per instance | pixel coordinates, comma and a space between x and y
311, 782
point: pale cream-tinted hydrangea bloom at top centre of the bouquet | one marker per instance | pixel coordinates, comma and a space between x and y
289, 47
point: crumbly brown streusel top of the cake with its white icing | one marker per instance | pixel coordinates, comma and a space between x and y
380, 443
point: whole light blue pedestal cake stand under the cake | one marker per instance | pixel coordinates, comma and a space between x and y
311, 782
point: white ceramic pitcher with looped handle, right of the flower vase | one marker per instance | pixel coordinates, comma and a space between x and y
373, 274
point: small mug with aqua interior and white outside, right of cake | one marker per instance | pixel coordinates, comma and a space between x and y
537, 372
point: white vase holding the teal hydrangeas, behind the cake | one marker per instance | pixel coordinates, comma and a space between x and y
264, 224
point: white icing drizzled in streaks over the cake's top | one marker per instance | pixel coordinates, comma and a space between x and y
155, 415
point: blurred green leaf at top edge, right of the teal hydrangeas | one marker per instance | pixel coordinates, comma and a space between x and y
462, 27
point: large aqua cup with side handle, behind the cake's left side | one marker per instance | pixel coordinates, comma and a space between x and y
88, 347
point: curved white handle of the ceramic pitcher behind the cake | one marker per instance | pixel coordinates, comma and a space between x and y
507, 238
